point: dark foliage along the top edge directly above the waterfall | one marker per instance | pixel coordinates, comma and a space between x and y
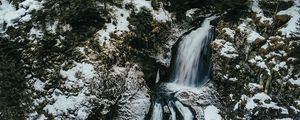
234, 8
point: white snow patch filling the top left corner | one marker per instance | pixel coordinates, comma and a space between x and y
10, 15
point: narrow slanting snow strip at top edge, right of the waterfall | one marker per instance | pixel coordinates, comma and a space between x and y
259, 12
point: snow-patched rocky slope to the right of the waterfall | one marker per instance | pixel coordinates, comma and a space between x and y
253, 69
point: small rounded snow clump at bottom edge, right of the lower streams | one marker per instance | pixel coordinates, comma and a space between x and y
211, 113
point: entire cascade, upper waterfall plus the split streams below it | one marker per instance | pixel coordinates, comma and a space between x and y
191, 69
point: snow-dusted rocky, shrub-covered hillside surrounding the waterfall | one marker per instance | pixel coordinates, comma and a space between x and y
90, 59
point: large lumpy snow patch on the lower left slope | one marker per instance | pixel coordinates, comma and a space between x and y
62, 102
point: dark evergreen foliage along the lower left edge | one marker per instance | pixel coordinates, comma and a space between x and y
14, 97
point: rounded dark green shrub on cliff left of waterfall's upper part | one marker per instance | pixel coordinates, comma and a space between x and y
147, 33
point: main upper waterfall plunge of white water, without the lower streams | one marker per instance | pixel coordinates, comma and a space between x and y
190, 68
